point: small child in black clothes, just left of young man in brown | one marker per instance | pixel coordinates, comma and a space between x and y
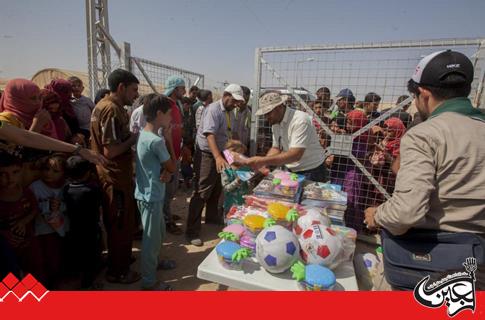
83, 207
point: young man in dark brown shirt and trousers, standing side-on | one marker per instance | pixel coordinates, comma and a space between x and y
111, 137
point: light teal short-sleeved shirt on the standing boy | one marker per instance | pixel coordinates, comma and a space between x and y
151, 152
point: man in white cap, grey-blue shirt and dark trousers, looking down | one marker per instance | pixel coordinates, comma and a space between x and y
212, 136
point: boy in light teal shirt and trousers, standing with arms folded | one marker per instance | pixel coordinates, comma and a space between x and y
151, 154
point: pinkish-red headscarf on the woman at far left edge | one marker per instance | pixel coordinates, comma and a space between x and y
18, 99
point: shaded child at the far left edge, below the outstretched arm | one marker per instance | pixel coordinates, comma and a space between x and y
18, 208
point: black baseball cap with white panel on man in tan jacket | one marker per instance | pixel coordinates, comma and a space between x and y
434, 69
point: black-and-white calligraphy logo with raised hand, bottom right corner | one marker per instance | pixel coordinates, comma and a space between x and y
456, 291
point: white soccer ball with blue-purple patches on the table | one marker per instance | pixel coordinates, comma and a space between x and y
277, 249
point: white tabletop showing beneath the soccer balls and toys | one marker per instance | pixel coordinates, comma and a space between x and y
254, 277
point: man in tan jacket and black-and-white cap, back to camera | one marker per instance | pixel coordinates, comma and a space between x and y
440, 185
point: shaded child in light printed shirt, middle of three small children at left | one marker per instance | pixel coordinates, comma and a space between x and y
51, 224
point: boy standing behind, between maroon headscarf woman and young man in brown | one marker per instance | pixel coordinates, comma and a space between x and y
82, 105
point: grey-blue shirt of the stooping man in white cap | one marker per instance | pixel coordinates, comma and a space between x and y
214, 120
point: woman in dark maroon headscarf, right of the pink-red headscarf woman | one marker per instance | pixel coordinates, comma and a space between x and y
58, 128
